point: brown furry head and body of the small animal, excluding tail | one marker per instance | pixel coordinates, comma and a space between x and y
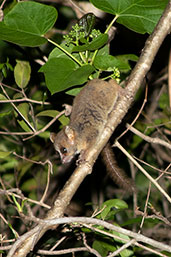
89, 115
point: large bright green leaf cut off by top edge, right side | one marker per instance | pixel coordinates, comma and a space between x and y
138, 15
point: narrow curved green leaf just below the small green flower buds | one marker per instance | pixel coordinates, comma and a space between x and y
97, 43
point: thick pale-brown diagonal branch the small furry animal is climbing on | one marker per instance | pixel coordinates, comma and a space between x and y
27, 241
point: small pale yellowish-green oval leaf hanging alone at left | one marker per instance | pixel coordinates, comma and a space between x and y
22, 73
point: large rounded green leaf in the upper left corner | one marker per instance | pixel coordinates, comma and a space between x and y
27, 22
